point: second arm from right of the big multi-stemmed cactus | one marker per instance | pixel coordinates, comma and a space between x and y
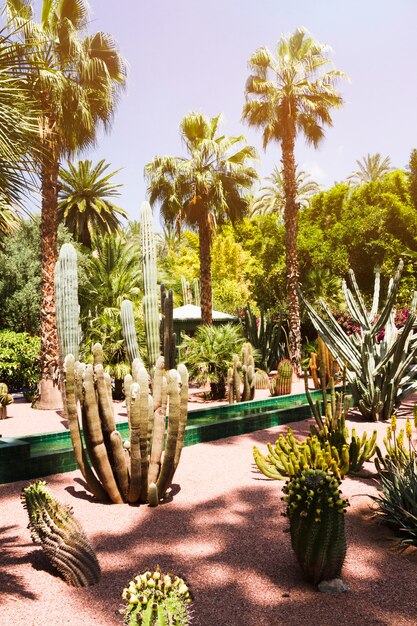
173, 426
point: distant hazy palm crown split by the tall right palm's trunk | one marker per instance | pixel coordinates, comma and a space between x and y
271, 198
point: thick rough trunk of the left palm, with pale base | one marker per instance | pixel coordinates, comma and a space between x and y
50, 395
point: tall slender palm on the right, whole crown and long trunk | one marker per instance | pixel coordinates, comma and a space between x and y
286, 95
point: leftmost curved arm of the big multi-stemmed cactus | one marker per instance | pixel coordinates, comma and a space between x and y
74, 426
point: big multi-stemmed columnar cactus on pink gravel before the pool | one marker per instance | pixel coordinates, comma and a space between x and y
138, 471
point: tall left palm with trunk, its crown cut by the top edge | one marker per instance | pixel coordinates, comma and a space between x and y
75, 79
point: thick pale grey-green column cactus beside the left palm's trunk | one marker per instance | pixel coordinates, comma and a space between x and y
66, 301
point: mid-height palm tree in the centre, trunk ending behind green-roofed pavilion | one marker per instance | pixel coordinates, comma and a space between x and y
204, 188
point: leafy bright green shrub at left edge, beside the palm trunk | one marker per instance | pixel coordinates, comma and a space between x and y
19, 361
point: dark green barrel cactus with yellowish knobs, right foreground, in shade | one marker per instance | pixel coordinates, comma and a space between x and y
315, 509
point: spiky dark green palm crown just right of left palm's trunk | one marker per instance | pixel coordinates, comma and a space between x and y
84, 206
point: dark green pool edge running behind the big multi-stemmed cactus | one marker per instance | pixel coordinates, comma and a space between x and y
19, 460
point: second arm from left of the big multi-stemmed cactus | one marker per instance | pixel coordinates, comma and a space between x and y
98, 449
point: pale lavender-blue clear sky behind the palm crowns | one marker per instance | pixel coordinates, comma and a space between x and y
191, 55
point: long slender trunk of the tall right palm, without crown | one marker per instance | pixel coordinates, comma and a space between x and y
291, 256
